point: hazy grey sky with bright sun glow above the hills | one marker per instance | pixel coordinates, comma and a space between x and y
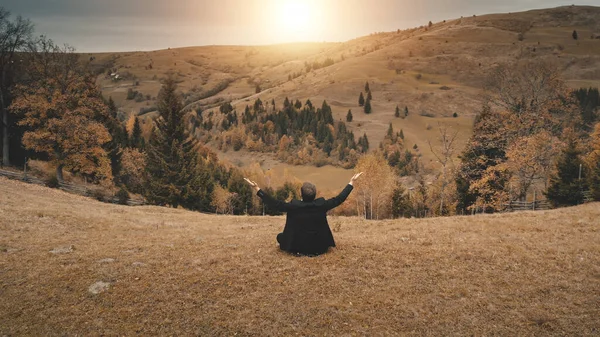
120, 25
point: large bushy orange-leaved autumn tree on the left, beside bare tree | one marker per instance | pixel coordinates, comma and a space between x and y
65, 115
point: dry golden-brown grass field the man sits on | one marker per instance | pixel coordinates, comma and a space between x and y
72, 266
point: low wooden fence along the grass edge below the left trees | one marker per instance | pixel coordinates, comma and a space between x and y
71, 188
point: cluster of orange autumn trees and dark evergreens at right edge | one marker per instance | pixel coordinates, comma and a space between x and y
533, 132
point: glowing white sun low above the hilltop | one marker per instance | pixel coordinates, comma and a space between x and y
297, 20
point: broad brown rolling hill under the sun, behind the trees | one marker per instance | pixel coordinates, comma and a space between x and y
435, 71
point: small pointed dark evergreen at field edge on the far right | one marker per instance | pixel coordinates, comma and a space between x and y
566, 188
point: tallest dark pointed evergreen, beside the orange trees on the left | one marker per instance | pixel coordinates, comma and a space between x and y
175, 177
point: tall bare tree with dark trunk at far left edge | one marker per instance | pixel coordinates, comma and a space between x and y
14, 38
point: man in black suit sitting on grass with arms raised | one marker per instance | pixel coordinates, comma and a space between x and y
306, 229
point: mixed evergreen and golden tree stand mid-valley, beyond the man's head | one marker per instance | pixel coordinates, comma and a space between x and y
299, 133
